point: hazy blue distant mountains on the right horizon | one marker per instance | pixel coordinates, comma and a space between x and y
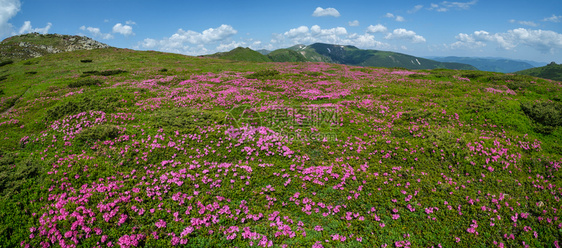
488, 64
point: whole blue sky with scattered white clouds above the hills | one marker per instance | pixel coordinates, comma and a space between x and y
517, 29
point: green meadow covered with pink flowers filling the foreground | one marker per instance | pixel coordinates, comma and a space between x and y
195, 152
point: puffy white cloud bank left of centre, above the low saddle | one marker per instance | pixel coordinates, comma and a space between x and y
194, 43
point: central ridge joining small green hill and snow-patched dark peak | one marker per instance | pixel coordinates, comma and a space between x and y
348, 55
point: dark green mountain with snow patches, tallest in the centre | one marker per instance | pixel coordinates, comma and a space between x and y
350, 55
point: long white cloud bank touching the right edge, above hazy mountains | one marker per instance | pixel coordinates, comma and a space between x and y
542, 40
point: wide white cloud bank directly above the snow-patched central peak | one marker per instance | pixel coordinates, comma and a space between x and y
338, 35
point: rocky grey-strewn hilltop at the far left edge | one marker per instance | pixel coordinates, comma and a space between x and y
34, 45
